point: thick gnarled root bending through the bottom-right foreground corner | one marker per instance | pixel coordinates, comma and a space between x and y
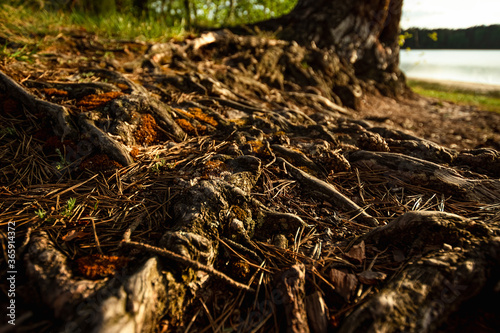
453, 260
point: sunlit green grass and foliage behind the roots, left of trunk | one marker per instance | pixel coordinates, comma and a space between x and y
27, 26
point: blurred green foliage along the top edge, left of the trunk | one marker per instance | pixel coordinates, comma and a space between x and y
161, 13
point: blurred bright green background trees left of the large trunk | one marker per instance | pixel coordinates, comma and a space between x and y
175, 12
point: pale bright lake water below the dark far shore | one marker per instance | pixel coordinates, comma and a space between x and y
480, 66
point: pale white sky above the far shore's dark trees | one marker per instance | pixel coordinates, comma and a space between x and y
453, 14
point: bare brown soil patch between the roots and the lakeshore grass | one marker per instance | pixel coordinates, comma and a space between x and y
448, 124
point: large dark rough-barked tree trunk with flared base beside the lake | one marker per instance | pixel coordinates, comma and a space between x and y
365, 33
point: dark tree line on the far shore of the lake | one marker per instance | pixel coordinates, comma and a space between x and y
481, 37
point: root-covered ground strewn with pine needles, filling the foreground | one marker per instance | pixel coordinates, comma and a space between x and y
185, 183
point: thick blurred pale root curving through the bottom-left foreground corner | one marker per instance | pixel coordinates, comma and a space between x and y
126, 303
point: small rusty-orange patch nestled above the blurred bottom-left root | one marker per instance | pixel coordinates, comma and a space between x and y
98, 266
